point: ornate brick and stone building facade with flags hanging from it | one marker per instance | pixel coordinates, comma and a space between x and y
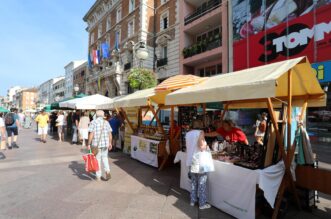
123, 25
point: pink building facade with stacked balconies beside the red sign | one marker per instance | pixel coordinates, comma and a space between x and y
204, 37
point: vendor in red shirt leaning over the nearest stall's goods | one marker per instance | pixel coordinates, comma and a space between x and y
229, 132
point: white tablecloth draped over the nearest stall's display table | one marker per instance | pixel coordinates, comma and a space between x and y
232, 188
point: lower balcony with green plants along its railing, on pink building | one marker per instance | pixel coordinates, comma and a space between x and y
202, 46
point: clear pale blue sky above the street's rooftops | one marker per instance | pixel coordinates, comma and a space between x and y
38, 38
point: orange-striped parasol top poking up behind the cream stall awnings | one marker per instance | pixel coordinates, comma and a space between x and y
178, 82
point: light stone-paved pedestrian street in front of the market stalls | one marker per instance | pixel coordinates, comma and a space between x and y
48, 181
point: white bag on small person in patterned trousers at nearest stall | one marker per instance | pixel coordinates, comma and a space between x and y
202, 162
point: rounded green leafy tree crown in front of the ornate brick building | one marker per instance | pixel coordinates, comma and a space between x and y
141, 78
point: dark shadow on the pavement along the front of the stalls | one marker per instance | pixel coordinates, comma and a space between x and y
165, 182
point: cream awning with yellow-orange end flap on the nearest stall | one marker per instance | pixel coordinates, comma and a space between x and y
245, 88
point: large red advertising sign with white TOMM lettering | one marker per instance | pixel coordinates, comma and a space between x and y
308, 35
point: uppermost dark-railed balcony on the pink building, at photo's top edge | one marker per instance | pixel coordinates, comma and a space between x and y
202, 10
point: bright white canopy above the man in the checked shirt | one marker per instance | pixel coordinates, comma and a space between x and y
88, 102
